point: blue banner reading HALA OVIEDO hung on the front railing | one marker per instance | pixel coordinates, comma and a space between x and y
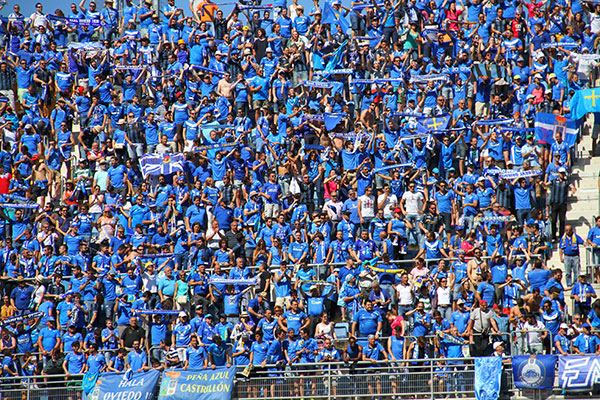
131, 385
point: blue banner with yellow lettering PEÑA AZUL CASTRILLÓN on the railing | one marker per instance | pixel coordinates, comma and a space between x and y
204, 384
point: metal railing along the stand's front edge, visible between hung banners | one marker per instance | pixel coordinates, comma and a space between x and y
421, 378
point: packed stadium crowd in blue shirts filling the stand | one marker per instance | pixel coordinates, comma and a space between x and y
314, 199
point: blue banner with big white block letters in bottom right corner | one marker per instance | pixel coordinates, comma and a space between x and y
578, 372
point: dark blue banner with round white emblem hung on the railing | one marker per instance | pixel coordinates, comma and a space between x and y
534, 372
